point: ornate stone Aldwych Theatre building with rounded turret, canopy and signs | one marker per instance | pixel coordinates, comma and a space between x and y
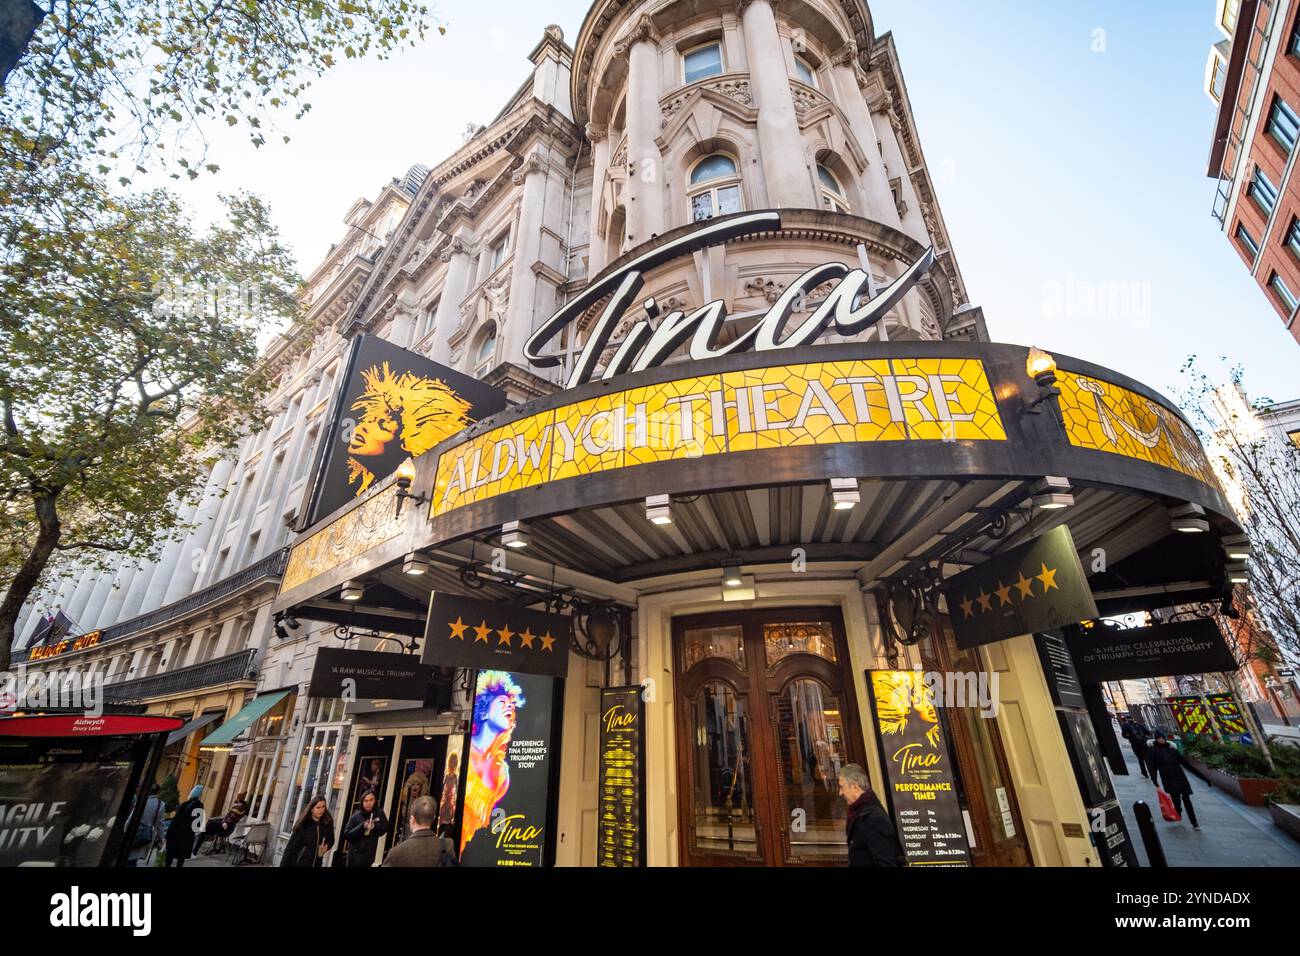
666, 469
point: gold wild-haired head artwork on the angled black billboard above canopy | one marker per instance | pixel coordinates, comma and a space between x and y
404, 416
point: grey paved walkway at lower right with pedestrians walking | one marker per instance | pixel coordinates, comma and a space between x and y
1232, 833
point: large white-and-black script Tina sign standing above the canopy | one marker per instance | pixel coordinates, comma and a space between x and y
648, 344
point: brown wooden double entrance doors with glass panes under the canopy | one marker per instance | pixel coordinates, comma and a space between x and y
766, 720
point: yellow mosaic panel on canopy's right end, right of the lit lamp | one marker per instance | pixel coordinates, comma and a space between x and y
1110, 418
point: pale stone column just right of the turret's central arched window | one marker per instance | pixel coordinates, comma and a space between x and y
779, 140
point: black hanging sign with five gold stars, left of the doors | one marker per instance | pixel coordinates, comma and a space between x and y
467, 633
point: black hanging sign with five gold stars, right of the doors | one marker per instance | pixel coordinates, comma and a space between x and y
1037, 587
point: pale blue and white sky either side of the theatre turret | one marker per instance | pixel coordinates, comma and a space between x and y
1067, 140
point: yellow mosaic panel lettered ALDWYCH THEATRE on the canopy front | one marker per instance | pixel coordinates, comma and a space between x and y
787, 406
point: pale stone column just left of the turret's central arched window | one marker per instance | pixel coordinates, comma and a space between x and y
645, 163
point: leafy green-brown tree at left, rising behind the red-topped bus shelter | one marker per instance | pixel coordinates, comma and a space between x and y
131, 351
